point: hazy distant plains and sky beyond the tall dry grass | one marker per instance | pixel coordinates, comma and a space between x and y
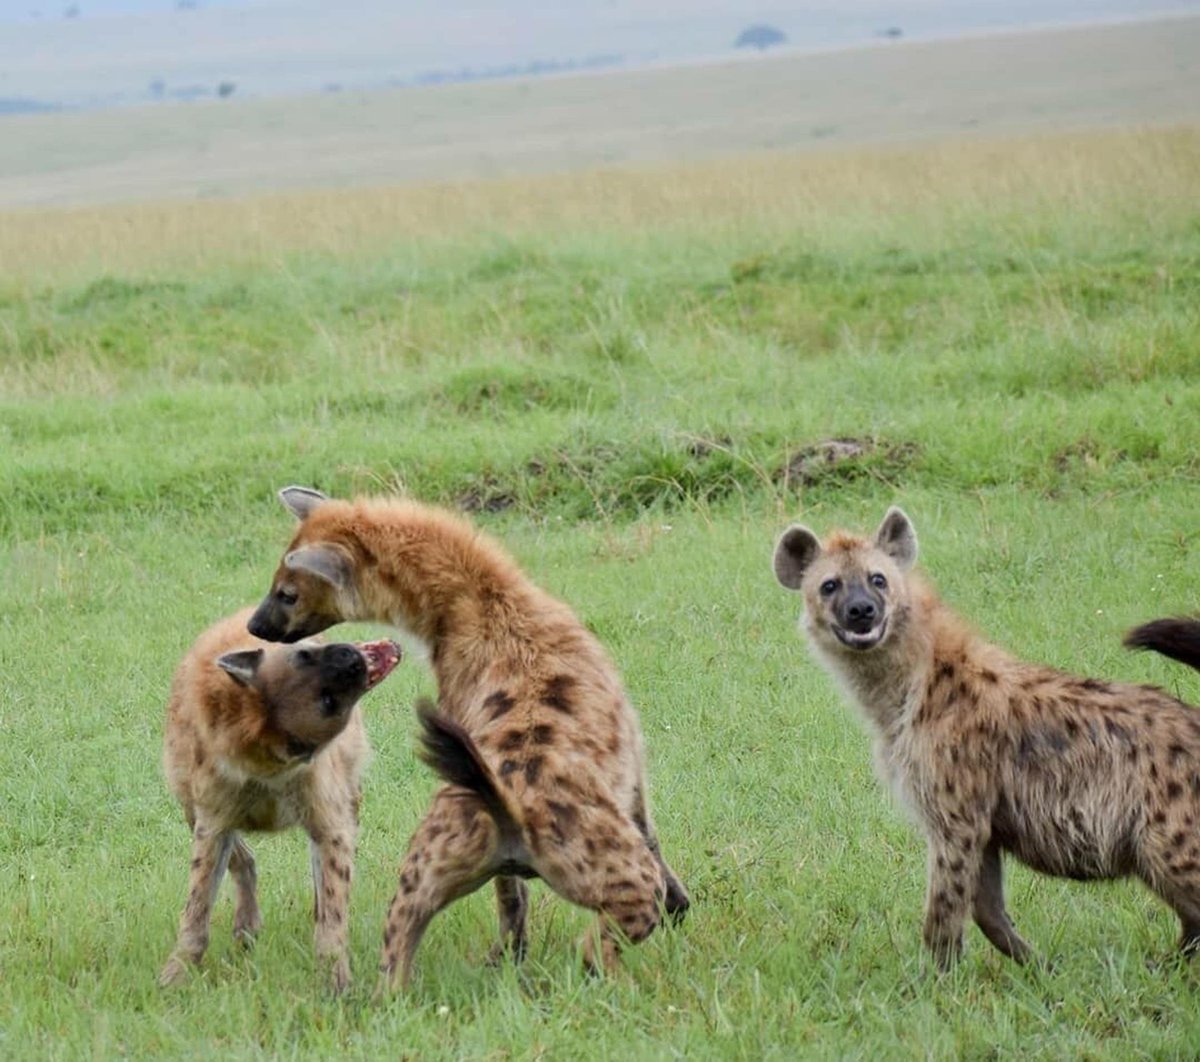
287, 93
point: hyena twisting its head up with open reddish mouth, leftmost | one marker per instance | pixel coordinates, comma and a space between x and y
262, 737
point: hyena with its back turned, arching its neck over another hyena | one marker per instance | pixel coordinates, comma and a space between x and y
526, 695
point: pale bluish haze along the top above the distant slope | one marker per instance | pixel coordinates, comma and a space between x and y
116, 50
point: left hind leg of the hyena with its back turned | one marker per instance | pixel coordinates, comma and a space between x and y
452, 855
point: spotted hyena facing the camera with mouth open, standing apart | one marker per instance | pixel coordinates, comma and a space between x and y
1075, 777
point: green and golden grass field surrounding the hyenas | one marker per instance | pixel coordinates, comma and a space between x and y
613, 371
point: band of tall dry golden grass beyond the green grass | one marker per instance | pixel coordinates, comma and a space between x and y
923, 195
